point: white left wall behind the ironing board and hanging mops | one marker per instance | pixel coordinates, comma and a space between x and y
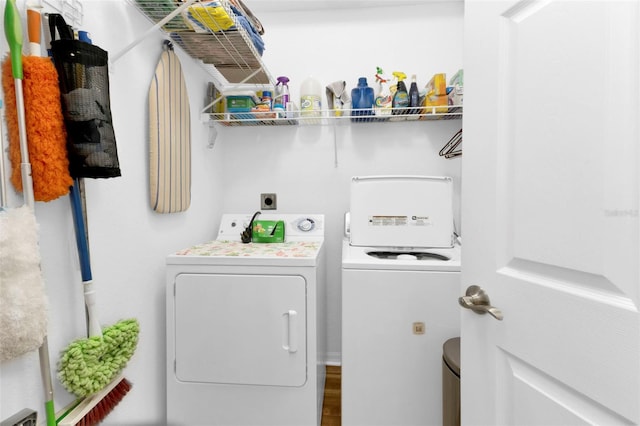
129, 241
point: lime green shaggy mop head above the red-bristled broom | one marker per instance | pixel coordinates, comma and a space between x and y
88, 365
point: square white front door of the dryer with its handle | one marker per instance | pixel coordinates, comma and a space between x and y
240, 329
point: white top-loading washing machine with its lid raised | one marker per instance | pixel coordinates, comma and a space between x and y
400, 285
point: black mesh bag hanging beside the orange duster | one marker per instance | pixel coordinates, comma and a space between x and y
84, 85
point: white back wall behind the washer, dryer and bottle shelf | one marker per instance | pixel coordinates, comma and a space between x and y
310, 168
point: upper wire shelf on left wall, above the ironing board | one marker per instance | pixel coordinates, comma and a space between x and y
229, 55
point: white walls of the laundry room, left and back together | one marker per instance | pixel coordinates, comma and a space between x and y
308, 167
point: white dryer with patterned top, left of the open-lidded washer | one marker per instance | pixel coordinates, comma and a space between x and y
246, 327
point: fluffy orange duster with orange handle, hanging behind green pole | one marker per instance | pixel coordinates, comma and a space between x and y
46, 132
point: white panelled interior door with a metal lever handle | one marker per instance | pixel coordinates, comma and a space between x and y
550, 212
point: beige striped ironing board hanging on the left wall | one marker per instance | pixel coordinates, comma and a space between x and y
170, 137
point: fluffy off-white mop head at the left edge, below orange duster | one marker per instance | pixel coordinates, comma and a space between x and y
23, 302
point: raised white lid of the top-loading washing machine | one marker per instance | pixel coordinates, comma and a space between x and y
401, 211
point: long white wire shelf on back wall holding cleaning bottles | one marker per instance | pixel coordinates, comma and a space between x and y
326, 117
